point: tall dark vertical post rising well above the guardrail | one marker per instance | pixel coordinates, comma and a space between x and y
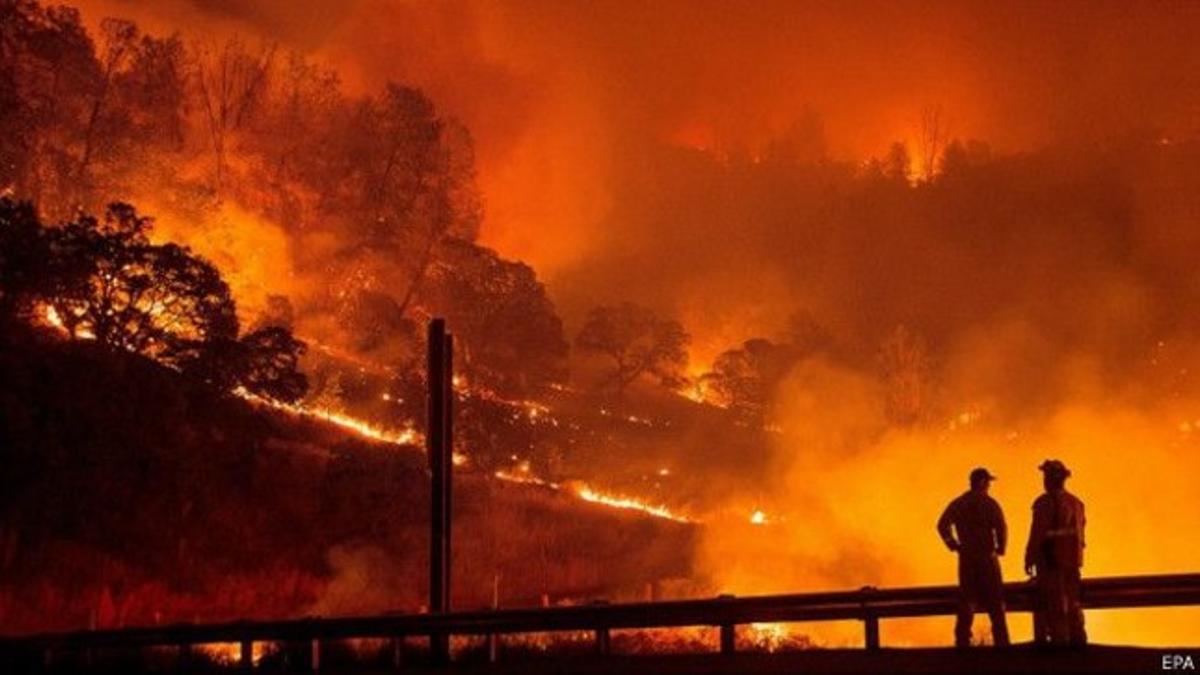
440, 443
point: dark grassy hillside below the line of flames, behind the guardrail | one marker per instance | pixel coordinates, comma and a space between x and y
128, 497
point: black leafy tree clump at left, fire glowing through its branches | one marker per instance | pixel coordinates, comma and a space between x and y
104, 280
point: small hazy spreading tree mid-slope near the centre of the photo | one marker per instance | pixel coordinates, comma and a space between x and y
638, 342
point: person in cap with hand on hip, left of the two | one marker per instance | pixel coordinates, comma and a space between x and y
974, 527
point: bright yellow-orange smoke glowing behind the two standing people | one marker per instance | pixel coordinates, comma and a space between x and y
861, 501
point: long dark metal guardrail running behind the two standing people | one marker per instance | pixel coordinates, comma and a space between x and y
868, 605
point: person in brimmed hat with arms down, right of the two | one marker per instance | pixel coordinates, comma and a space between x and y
1055, 555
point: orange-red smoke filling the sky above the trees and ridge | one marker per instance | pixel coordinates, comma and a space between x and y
561, 97
